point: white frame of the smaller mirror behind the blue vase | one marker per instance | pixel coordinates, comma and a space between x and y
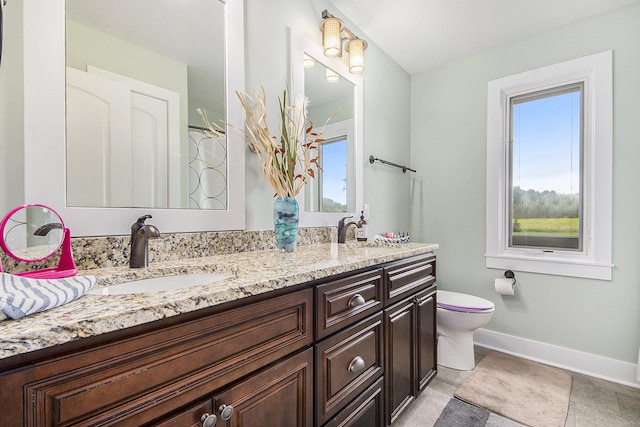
300, 46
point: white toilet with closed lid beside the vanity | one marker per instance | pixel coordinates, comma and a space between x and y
458, 316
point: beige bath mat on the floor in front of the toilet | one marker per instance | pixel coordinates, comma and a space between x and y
528, 392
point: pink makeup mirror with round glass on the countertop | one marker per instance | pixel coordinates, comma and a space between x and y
33, 233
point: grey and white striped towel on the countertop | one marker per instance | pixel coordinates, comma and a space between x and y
21, 296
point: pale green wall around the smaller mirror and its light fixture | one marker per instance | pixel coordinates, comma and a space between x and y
386, 108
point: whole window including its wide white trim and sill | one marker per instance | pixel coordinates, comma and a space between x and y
549, 138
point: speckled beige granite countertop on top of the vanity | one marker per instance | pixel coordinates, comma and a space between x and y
253, 273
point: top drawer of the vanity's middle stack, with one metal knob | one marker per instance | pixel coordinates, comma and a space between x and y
341, 303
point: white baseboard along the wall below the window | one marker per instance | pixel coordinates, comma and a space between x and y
561, 357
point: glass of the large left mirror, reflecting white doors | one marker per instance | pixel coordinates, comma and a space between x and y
135, 77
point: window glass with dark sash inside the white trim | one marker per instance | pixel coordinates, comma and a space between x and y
545, 158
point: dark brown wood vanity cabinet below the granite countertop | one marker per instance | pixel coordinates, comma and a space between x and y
350, 350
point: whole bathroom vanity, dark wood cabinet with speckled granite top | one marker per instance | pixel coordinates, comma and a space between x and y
327, 335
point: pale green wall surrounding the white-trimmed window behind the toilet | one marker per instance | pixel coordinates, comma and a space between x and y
449, 114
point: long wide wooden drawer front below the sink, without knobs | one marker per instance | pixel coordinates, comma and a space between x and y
133, 381
